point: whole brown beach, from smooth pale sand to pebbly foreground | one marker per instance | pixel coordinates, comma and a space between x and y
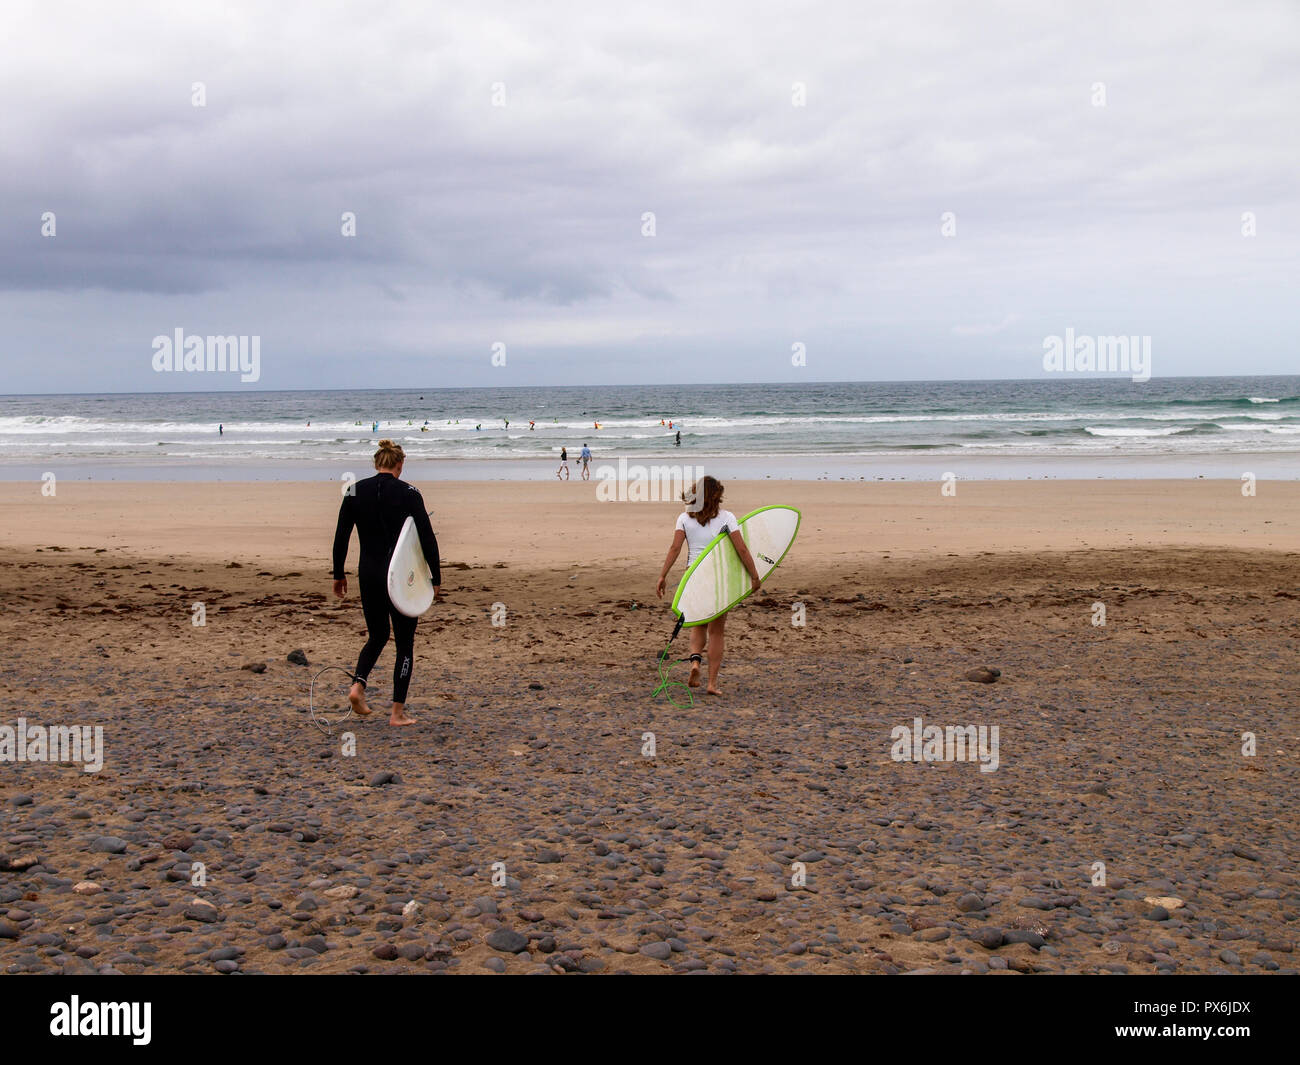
523, 819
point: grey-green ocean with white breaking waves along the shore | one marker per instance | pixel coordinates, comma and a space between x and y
1071, 427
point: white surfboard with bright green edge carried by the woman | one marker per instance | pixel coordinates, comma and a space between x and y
717, 579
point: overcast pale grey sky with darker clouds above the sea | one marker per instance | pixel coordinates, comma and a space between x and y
775, 223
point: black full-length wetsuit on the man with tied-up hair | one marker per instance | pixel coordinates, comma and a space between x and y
379, 506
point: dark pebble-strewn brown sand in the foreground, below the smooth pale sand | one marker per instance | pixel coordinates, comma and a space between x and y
913, 868
